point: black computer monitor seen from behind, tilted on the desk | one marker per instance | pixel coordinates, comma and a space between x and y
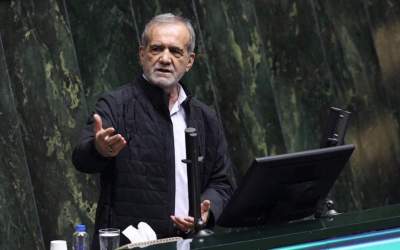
286, 187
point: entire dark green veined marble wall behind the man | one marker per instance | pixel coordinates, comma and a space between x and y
270, 68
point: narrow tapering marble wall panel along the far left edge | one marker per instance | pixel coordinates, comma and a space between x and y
20, 225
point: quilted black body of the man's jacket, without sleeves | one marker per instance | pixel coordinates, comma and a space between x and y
141, 184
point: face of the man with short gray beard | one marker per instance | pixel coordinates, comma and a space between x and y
166, 59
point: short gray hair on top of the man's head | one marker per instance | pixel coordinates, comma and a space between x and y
170, 18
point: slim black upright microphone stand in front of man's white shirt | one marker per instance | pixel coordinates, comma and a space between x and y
192, 161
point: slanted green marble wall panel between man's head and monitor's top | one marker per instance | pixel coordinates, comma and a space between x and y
243, 79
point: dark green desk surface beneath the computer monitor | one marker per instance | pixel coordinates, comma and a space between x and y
294, 235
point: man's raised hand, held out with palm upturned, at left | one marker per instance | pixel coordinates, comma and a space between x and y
106, 143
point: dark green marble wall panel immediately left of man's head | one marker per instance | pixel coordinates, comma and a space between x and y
106, 42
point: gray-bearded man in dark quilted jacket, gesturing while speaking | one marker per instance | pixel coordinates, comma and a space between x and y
136, 141
